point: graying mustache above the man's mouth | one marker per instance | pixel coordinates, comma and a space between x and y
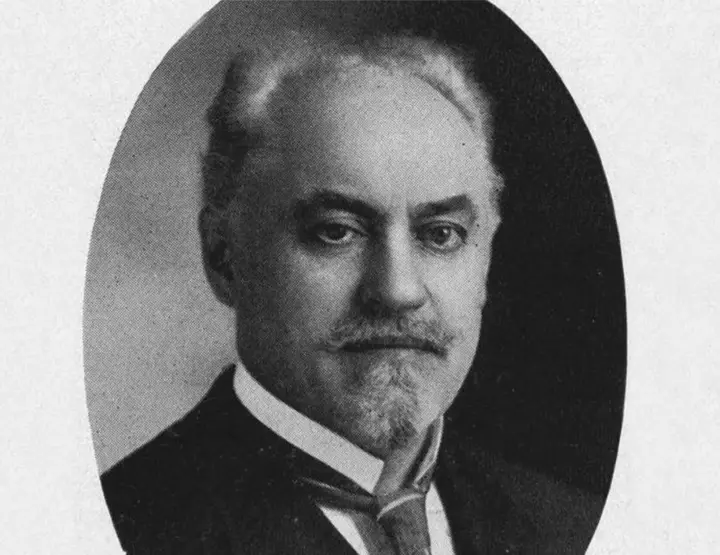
359, 334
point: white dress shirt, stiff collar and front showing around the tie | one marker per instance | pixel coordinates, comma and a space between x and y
360, 530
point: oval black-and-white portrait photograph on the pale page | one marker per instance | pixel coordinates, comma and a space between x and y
355, 284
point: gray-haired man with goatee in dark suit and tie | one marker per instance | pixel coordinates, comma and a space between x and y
349, 216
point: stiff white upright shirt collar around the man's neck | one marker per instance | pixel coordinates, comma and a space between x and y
316, 440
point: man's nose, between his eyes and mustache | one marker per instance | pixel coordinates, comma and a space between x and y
393, 277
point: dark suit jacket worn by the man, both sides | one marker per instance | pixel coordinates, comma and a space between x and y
217, 482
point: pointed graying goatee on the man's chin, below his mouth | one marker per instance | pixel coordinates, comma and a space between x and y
385, 410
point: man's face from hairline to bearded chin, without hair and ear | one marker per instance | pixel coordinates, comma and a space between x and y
360, 254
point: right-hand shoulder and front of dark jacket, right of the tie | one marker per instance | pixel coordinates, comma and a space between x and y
513, 508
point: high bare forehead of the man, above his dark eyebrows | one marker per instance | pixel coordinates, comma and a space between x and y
391, 139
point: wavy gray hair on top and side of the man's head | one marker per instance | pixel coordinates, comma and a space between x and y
241, 117
